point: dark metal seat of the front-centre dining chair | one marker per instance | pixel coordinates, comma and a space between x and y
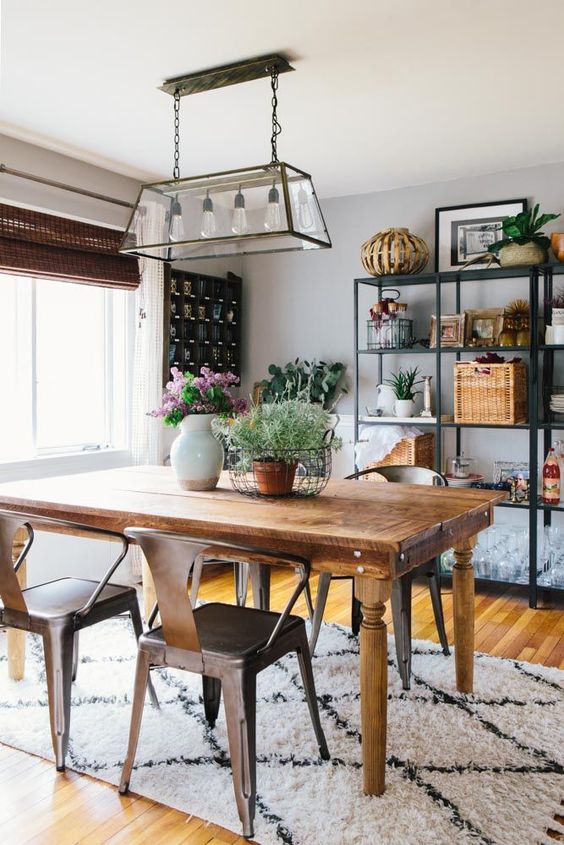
229, 630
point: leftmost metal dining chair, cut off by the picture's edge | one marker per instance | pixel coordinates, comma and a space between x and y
58, 610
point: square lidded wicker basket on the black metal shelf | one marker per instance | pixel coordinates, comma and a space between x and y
495, 394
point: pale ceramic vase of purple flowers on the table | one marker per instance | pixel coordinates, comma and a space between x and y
193, 402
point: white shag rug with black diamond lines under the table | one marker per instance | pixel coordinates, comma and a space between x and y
482, 769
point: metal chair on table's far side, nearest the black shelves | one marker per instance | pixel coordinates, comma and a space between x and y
401, 589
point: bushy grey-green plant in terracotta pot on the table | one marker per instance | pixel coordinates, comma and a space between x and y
274, 437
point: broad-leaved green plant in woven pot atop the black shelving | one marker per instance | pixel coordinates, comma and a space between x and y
523, 242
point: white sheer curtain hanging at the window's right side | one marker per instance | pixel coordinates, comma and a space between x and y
146, 432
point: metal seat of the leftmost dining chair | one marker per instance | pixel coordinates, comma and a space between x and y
65, 596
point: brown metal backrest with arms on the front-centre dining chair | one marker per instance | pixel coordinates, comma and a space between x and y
170, 557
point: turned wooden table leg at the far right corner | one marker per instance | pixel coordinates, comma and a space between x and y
463, 606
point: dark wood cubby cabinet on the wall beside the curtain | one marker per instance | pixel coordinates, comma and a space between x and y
202, 322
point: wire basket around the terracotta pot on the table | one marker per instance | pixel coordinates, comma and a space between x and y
296, 472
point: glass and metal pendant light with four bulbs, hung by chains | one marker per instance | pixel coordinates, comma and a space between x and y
267, 208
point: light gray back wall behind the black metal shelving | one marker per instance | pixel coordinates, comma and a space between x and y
302, 303
